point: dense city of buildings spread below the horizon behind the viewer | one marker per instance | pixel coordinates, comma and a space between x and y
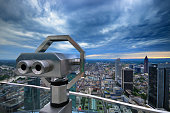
99, 80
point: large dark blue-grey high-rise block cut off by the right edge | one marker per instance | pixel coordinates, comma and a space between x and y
159, 86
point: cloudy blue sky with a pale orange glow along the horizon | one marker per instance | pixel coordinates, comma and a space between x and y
103, 28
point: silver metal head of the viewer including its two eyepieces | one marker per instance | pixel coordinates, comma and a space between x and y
46, 64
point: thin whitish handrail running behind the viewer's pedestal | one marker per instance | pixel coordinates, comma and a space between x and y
96, 97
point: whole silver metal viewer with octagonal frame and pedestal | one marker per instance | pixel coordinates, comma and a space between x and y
54, 65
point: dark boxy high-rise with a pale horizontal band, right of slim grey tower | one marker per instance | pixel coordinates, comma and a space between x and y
127, 79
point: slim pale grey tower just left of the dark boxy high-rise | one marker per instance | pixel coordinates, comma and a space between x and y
118, 68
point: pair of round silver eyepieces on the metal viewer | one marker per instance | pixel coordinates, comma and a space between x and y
37, 66
